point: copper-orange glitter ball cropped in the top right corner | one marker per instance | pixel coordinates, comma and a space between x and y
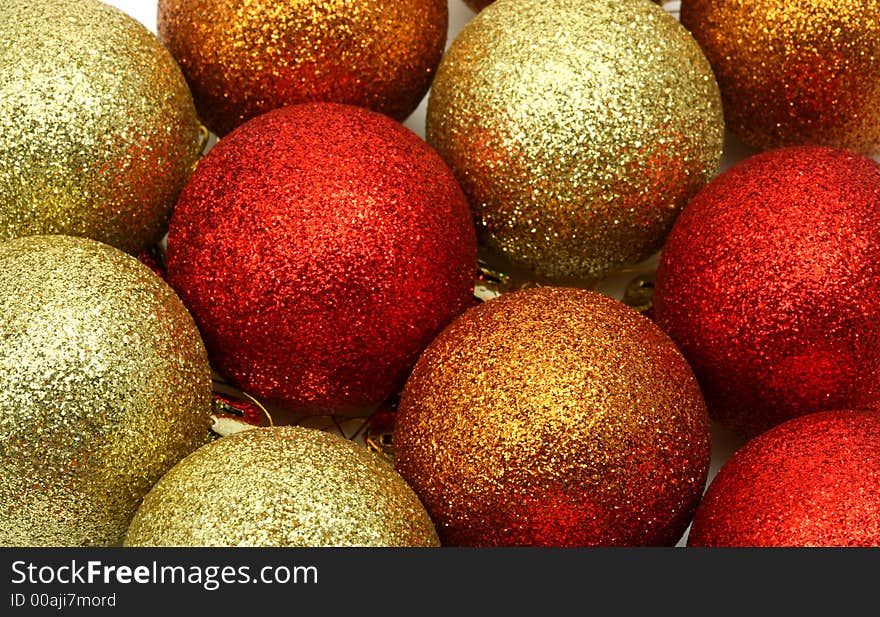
794, 73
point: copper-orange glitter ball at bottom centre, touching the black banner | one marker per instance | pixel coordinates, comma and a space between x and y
553, 417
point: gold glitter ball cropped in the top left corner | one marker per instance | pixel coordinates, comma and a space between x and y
98, 131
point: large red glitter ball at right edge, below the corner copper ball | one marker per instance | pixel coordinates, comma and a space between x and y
770, 284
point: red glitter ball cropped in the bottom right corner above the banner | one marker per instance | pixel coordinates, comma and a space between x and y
811, 481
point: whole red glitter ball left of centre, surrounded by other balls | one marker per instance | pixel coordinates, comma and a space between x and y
320, 248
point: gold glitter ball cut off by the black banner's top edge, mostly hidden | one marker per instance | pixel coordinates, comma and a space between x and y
282, 486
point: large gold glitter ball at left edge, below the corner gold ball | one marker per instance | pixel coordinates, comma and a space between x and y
104, 386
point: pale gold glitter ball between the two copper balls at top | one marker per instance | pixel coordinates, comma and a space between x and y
577, 129
